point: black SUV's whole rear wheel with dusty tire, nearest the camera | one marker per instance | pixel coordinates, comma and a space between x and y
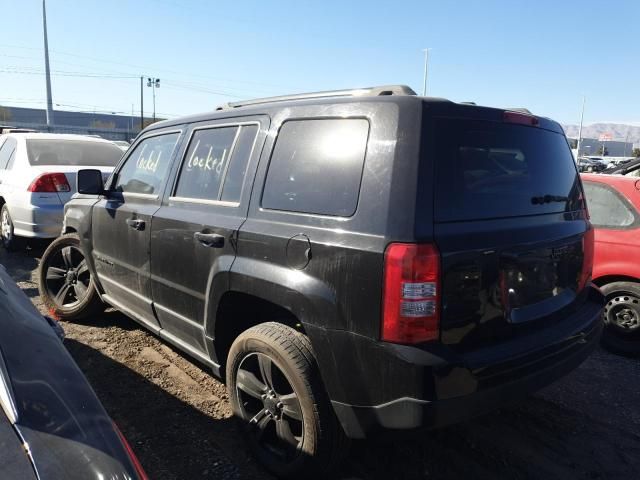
293, 389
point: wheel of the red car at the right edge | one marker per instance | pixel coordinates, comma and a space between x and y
622, 318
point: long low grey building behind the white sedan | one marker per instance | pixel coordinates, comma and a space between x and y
110, 126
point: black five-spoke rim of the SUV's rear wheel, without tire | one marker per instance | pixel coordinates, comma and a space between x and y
270, 406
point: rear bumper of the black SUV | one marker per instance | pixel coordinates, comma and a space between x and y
437, 388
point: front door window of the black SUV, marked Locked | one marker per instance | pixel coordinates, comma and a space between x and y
146, 168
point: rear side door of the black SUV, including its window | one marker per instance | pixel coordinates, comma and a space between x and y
193, 232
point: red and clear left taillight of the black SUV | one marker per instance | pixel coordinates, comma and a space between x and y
411, 296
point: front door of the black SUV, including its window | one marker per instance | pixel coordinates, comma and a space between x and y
121, 225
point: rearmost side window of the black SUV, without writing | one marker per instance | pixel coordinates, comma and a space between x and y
316, 167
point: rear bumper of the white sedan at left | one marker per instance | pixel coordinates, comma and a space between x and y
37, 221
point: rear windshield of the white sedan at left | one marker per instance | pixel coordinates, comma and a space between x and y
72, 152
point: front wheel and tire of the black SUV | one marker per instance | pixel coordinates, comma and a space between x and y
63, 267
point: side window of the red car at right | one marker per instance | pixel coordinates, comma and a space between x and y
607, 208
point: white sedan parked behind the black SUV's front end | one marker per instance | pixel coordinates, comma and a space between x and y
38, 176
